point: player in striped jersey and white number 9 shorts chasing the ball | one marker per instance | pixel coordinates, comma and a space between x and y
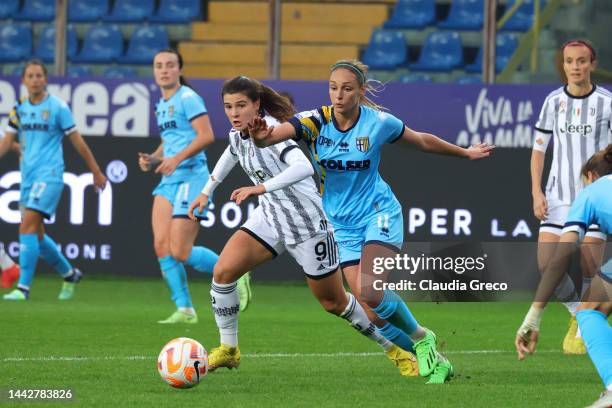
289, 217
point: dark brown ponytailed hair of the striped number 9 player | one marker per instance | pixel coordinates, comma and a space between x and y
271, 101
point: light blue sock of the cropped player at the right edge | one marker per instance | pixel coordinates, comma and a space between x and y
597, 335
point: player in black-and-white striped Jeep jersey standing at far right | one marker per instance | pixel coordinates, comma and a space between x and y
578, 116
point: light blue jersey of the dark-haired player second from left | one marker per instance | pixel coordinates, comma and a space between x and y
174, 118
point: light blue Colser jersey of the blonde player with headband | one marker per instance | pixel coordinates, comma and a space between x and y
353, 190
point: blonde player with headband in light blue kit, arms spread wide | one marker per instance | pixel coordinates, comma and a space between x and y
345, 141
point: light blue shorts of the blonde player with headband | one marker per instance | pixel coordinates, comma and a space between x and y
386, 228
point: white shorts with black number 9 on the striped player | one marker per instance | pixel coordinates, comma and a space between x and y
318, 255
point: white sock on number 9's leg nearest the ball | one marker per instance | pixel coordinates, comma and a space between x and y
226, 305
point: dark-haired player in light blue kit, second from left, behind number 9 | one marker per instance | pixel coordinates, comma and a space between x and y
185, 130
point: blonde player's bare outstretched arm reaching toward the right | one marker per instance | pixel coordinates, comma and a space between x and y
432, 144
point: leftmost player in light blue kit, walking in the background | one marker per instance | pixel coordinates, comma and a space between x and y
41, 121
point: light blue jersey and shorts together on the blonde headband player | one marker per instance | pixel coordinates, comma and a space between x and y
358, 202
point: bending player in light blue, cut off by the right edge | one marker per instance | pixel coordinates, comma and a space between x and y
593, 205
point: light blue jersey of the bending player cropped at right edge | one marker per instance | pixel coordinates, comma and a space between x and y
592, 206
